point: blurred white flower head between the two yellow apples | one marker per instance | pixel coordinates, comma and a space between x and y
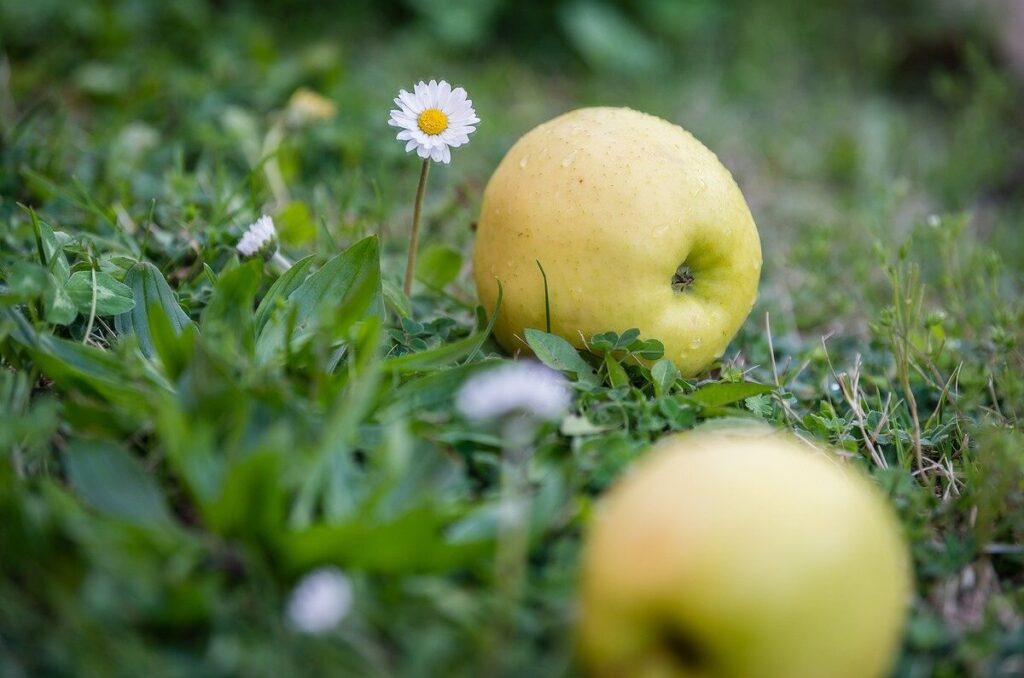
526, 387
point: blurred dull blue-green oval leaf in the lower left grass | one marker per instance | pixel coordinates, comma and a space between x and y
110, 480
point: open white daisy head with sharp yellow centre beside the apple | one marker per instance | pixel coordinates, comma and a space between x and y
435, 119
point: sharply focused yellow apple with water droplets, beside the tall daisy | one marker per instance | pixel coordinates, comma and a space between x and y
612, 202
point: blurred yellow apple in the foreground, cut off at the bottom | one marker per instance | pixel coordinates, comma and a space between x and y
743, 554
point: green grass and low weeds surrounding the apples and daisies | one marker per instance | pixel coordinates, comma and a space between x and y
167, 475
